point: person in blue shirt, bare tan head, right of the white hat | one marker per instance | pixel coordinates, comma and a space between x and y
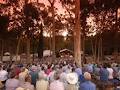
87, 85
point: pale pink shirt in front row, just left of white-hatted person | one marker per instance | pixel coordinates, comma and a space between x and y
57, 85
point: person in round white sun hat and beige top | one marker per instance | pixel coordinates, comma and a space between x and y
72, 80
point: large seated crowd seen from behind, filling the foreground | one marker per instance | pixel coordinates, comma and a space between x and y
61, 75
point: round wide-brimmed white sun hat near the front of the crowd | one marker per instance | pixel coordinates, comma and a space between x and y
72, 78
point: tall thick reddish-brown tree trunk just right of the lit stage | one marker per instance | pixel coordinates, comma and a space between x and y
77, 35
